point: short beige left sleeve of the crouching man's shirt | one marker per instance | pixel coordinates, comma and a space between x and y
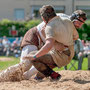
49, 32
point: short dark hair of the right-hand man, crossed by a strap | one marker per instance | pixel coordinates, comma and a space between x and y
78, 14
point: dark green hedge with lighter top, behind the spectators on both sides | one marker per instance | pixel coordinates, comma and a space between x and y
23, 26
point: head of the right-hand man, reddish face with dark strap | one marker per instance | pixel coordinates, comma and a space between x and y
78, 18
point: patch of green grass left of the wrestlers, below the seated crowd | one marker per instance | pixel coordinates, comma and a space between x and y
5, 64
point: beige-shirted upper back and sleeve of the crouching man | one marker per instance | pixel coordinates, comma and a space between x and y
61, 30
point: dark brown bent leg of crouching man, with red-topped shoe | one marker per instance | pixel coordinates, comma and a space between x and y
45, 64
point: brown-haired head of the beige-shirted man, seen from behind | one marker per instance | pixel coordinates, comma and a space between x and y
47, 12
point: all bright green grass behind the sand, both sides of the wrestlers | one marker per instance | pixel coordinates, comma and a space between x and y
5, 64
